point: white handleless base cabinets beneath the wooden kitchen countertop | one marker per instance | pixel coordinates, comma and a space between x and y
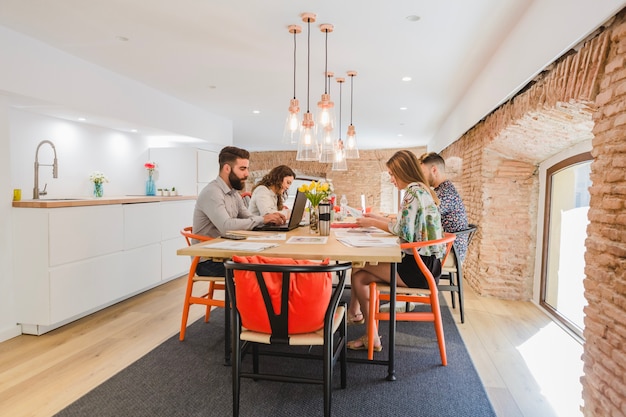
72, 261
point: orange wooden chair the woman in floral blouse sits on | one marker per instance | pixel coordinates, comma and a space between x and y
380, 291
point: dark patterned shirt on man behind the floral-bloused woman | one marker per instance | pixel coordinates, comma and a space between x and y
453, 215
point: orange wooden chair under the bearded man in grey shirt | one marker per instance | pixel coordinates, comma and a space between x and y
215, 284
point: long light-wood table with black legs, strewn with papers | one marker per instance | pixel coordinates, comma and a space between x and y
333, 250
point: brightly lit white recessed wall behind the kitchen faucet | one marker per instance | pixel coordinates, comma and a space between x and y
81, 149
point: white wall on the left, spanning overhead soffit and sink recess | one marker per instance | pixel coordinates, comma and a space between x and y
34, 70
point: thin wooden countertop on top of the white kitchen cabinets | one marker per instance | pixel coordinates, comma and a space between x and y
80, 202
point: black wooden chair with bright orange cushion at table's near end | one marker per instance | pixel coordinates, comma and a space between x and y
280, 301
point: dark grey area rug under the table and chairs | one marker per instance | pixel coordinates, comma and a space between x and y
189, 379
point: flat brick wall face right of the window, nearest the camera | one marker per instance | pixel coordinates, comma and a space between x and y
604, 380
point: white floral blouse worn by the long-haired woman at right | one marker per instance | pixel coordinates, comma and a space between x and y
419, 220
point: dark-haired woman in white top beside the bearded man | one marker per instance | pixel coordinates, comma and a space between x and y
267, 194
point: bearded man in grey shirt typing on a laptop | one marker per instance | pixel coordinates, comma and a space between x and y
219, 207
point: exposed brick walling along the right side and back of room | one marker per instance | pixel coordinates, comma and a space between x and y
494, 166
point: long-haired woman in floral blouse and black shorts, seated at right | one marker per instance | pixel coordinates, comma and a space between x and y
418, 220
